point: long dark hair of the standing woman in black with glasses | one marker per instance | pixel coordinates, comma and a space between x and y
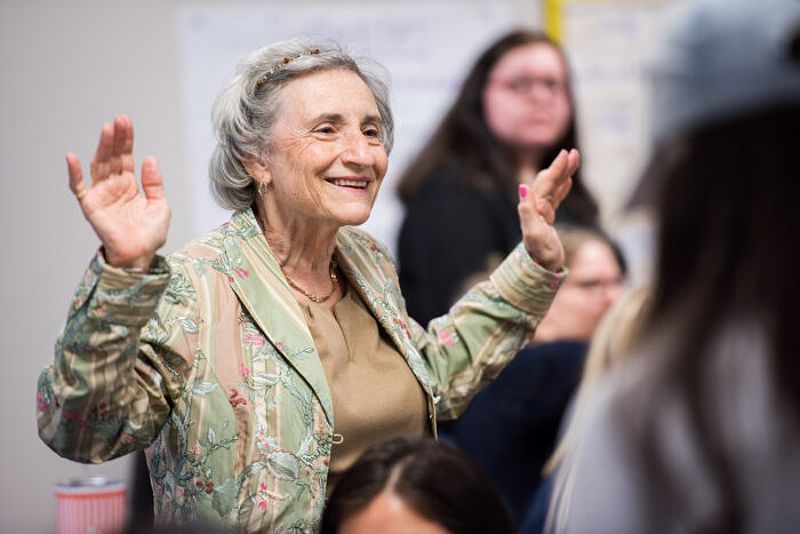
464, 141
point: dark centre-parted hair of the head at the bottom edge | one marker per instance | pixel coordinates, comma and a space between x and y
434, 479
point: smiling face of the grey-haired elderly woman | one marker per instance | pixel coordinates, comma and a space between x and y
326, 159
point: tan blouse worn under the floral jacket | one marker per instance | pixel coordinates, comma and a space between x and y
375, 394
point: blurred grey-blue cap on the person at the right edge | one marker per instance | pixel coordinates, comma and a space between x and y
722, 59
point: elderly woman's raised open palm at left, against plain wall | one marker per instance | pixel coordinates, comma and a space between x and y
131, 226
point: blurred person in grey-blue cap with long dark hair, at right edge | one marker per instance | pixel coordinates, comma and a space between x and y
700, 432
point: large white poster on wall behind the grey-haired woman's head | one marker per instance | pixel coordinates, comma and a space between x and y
425, 59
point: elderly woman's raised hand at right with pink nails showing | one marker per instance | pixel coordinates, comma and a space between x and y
537, 207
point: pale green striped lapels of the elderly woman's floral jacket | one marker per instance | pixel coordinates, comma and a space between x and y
258, 282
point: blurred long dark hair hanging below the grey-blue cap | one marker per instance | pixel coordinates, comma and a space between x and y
727, 250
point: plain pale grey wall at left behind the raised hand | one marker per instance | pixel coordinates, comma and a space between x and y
65, 68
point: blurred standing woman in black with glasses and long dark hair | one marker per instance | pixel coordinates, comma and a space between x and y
513, 114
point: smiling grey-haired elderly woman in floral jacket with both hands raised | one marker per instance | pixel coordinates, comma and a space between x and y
260, 360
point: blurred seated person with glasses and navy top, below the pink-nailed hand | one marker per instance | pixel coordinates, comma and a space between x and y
510, 428
